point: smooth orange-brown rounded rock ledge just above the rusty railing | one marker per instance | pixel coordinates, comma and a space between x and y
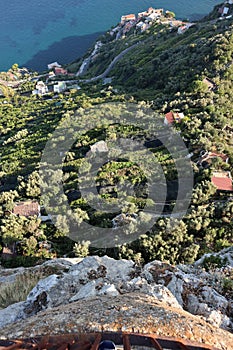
132, 312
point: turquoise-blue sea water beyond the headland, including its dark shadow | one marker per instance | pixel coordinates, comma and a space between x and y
37, 32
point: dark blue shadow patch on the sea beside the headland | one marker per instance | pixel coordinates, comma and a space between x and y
64, 51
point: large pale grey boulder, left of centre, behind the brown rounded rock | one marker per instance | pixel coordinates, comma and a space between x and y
89, 277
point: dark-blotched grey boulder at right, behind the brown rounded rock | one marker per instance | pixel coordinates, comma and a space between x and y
190, 286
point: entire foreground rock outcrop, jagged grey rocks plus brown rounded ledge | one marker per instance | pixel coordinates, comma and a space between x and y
98, 293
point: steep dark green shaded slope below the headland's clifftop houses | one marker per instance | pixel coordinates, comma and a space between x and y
167, 63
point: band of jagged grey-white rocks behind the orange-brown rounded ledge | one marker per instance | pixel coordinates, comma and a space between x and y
187, 287
